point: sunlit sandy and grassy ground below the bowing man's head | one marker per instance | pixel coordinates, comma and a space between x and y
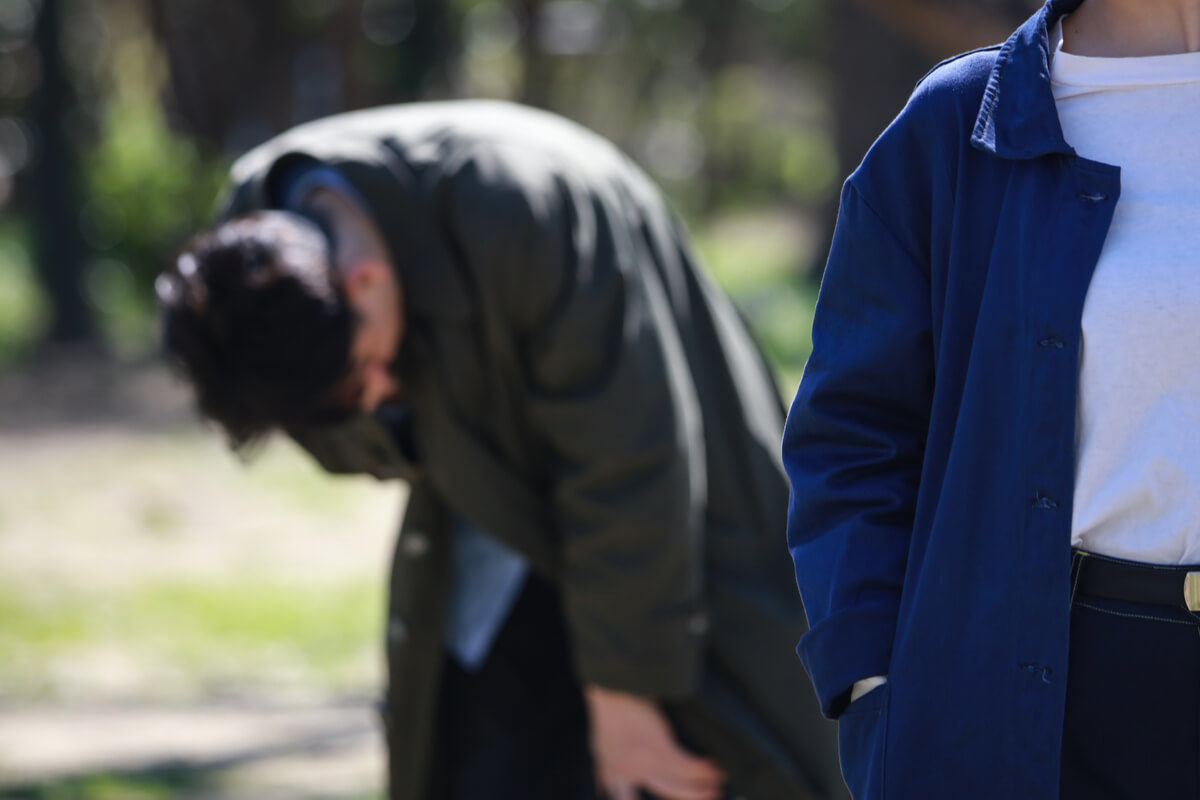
141, 566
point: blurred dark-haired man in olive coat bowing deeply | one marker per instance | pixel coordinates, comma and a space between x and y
497, 306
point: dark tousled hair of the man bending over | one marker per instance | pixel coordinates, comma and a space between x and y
254, 312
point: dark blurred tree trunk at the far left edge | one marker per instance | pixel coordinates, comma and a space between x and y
58, 242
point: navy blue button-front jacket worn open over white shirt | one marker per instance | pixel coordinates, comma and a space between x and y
932, 442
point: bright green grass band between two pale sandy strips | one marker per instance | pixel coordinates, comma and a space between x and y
212, 635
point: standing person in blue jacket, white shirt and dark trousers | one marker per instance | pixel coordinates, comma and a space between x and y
993, 453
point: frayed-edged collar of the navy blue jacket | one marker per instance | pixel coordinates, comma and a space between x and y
1019, 118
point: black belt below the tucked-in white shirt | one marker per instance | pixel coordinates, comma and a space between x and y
1102, 576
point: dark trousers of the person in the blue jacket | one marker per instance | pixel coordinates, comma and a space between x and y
1132, 729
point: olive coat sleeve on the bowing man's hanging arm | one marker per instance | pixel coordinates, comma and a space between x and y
613, 410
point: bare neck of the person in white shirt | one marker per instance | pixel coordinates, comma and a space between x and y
1133, 28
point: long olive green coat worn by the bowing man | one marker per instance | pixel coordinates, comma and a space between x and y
585, 394
